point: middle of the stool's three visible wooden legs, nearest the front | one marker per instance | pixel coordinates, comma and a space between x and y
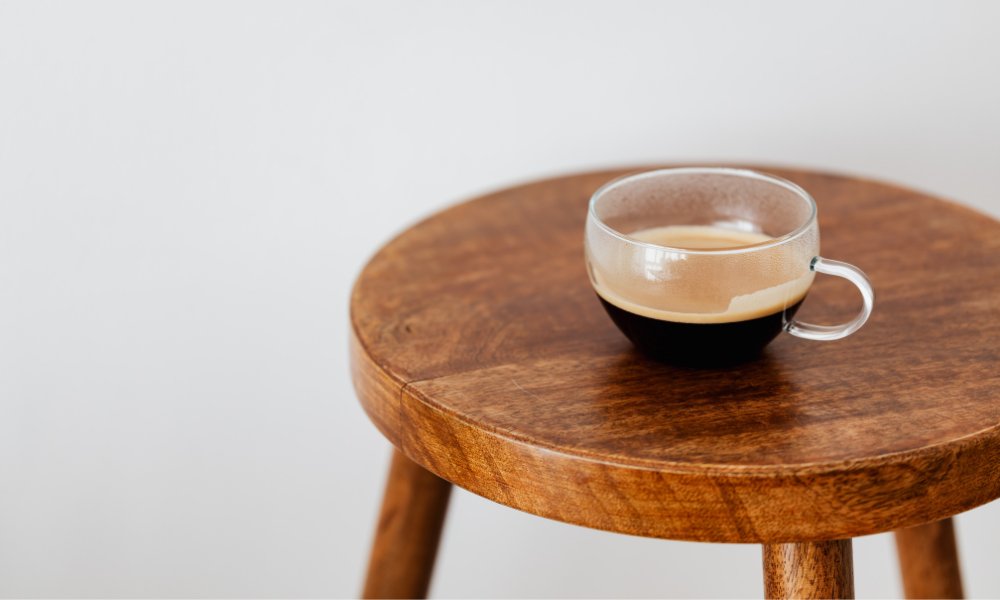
809, 570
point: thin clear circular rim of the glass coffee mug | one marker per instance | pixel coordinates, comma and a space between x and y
730, 171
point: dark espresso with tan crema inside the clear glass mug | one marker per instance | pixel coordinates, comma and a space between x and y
705, 338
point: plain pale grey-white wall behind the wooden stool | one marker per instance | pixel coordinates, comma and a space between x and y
187, 191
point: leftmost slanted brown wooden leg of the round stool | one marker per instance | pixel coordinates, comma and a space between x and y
409, 528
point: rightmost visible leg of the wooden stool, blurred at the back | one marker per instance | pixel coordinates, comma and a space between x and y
928, 560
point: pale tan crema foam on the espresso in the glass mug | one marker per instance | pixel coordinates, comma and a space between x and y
743, 307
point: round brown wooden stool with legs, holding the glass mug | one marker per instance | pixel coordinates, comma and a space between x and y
481, 352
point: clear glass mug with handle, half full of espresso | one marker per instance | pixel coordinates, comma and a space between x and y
706, 266
